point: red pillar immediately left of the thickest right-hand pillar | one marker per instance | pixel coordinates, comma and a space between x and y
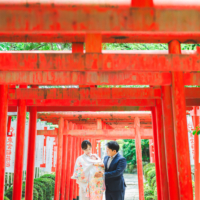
169, 139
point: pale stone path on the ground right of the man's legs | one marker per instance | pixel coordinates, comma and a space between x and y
132, 192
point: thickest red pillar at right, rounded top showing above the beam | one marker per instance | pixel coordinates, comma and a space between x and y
180, 129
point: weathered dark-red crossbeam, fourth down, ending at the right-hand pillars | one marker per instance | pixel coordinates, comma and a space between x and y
92, 93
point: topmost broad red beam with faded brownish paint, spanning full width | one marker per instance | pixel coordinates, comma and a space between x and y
49, 19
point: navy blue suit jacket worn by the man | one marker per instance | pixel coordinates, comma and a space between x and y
114, 179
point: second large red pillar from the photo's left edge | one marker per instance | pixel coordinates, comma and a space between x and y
19, 149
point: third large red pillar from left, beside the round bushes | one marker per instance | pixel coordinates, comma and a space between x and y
31, 153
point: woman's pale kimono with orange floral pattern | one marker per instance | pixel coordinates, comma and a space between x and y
90, 188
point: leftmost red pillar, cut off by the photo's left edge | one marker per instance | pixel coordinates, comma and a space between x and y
3, 134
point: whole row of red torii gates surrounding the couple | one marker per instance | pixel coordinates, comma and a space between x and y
166, 74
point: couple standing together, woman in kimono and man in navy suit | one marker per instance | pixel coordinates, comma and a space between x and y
95, 176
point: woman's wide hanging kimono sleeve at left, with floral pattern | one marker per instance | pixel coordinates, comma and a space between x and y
79, 172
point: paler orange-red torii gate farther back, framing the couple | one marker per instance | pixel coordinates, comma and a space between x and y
105, 127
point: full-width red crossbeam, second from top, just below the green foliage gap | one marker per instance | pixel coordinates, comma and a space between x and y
116, 61
